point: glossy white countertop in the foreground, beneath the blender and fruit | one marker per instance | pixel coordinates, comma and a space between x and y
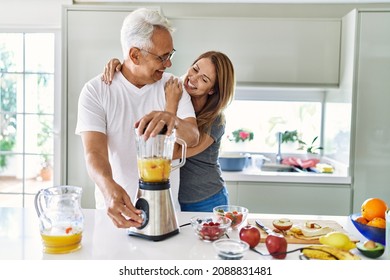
20, 239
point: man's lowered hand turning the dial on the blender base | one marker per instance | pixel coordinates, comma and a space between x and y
120, 209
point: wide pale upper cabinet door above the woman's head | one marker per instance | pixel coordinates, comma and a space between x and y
264, 51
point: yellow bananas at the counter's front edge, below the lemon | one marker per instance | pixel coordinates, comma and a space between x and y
326, 252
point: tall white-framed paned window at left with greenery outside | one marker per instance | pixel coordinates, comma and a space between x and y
26, 116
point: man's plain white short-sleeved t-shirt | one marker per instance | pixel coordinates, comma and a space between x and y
113, 110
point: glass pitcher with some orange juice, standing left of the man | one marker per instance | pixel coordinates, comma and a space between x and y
60, 218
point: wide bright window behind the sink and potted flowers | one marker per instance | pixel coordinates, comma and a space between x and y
266, 112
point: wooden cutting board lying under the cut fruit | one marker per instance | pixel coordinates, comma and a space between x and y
296, 240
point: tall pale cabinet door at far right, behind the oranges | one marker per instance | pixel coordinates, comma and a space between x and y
372, 80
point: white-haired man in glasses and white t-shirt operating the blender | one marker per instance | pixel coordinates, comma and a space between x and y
108, 114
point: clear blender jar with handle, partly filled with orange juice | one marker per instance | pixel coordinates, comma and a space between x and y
154, 157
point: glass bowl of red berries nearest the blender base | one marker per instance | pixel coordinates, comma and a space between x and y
209, 228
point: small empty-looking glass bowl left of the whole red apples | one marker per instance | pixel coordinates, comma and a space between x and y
230, 249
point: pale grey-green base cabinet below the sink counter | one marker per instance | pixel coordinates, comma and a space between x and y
288, 198
